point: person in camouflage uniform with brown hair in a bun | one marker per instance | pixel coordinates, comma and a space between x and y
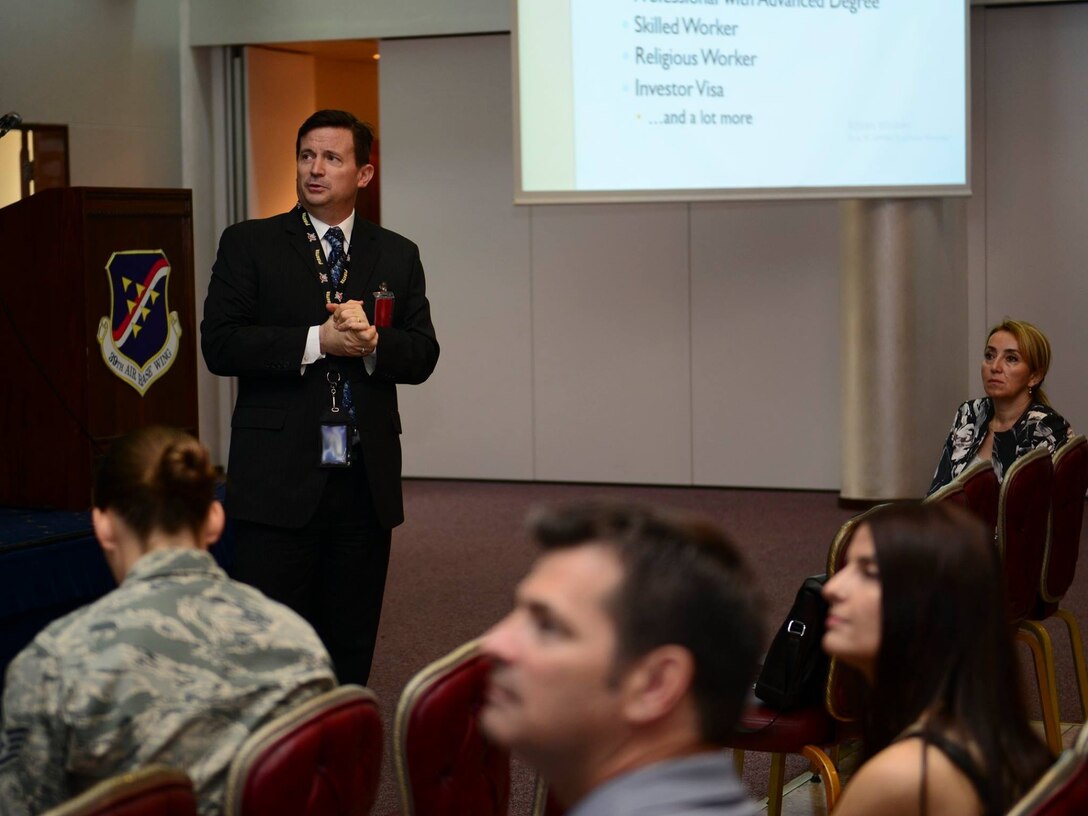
179, 665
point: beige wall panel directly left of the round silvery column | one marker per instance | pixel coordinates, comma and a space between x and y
765, 344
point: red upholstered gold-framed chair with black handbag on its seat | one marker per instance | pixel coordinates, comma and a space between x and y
810, 730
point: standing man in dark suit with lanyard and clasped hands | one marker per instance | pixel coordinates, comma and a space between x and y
291, 313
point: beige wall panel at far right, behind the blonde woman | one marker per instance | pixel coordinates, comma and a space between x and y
1037, 177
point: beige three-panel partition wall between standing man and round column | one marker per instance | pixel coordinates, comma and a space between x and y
674, 344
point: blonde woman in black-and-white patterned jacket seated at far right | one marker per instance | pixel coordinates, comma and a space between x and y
1016, 416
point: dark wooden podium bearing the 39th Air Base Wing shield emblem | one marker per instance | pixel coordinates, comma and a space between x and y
91, 281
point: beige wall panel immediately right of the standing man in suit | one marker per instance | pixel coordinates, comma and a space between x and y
447, 183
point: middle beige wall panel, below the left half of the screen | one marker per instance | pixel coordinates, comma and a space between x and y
612, 344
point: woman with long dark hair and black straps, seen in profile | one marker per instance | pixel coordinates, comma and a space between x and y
918, 609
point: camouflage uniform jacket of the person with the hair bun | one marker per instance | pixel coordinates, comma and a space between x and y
178, 665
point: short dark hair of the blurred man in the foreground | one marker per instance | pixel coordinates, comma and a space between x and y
686, 584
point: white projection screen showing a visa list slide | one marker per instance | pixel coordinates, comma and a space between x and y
740, 100
